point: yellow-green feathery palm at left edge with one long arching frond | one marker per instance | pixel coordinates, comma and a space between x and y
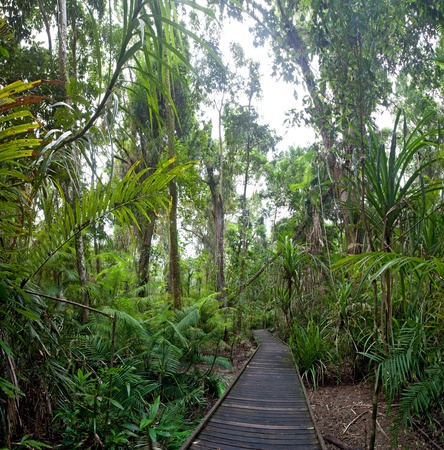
22, 263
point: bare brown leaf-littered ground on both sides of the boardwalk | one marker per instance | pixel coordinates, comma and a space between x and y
342, 412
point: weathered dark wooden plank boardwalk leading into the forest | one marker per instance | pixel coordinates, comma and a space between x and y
265, 408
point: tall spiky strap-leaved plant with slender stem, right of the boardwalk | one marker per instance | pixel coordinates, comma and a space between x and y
389, 183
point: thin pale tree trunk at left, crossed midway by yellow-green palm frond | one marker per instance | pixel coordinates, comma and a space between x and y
72, 191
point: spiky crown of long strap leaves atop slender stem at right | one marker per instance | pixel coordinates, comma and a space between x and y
394, 178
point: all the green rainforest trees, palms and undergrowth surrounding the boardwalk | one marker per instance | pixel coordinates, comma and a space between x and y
140, 242
